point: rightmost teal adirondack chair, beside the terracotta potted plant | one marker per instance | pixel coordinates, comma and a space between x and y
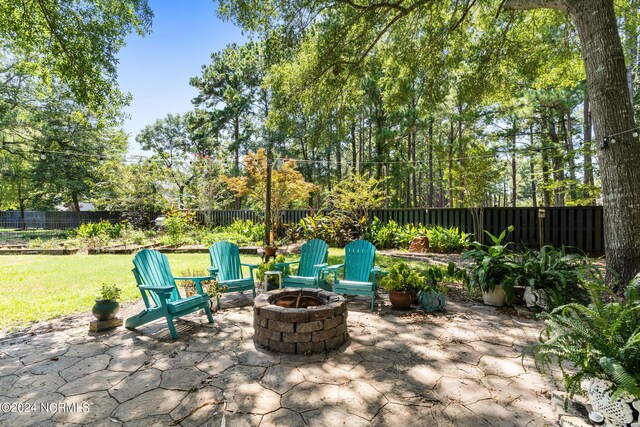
359, 275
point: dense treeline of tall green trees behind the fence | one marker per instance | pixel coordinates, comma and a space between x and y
502, 120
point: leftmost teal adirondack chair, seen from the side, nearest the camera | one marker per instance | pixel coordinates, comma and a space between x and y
160, 293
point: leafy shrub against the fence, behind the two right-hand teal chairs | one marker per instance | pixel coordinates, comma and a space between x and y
335, 228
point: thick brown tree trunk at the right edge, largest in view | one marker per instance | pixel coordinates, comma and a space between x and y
612, 114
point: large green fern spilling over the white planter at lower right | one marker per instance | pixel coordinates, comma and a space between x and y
600, 340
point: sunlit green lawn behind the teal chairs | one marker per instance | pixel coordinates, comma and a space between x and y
41, 287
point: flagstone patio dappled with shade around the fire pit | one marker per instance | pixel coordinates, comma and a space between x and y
459, 368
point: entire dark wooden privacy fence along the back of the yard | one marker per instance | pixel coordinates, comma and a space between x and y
580, 227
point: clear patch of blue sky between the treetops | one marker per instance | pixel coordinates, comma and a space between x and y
156, 69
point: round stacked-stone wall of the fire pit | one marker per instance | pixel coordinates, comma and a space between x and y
300, 330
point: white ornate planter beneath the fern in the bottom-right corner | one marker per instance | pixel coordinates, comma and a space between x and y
616, 413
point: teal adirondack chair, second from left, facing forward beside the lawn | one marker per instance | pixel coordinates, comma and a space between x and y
225, 258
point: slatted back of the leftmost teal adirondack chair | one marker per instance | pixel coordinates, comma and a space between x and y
152, 269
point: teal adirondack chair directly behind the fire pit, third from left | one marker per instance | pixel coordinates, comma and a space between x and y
313, 258
